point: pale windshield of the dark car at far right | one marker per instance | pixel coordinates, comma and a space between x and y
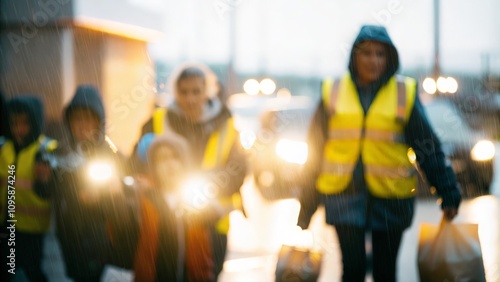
448, 124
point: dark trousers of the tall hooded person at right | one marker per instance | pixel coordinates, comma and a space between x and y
385, 246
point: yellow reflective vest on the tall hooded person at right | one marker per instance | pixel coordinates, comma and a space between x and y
377, 136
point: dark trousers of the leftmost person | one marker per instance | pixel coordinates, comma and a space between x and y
28, 255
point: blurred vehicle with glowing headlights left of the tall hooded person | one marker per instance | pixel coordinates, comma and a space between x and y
274, 132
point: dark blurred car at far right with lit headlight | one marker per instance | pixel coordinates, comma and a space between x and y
470, 152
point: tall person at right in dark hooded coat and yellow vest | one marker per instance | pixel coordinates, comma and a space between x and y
359, 139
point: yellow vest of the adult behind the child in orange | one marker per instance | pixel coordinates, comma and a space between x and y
216, 155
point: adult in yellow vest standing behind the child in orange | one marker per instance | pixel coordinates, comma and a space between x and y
207, 125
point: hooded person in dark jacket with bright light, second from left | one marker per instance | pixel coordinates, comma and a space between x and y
89, 181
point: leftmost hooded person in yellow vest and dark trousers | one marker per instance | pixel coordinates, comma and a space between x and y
25, 169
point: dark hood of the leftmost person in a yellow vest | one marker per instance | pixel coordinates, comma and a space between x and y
33, 107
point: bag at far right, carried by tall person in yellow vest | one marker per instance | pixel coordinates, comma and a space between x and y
450, 252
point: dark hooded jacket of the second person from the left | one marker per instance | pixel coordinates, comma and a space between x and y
81, 225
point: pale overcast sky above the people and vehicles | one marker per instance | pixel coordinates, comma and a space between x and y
312, 37
